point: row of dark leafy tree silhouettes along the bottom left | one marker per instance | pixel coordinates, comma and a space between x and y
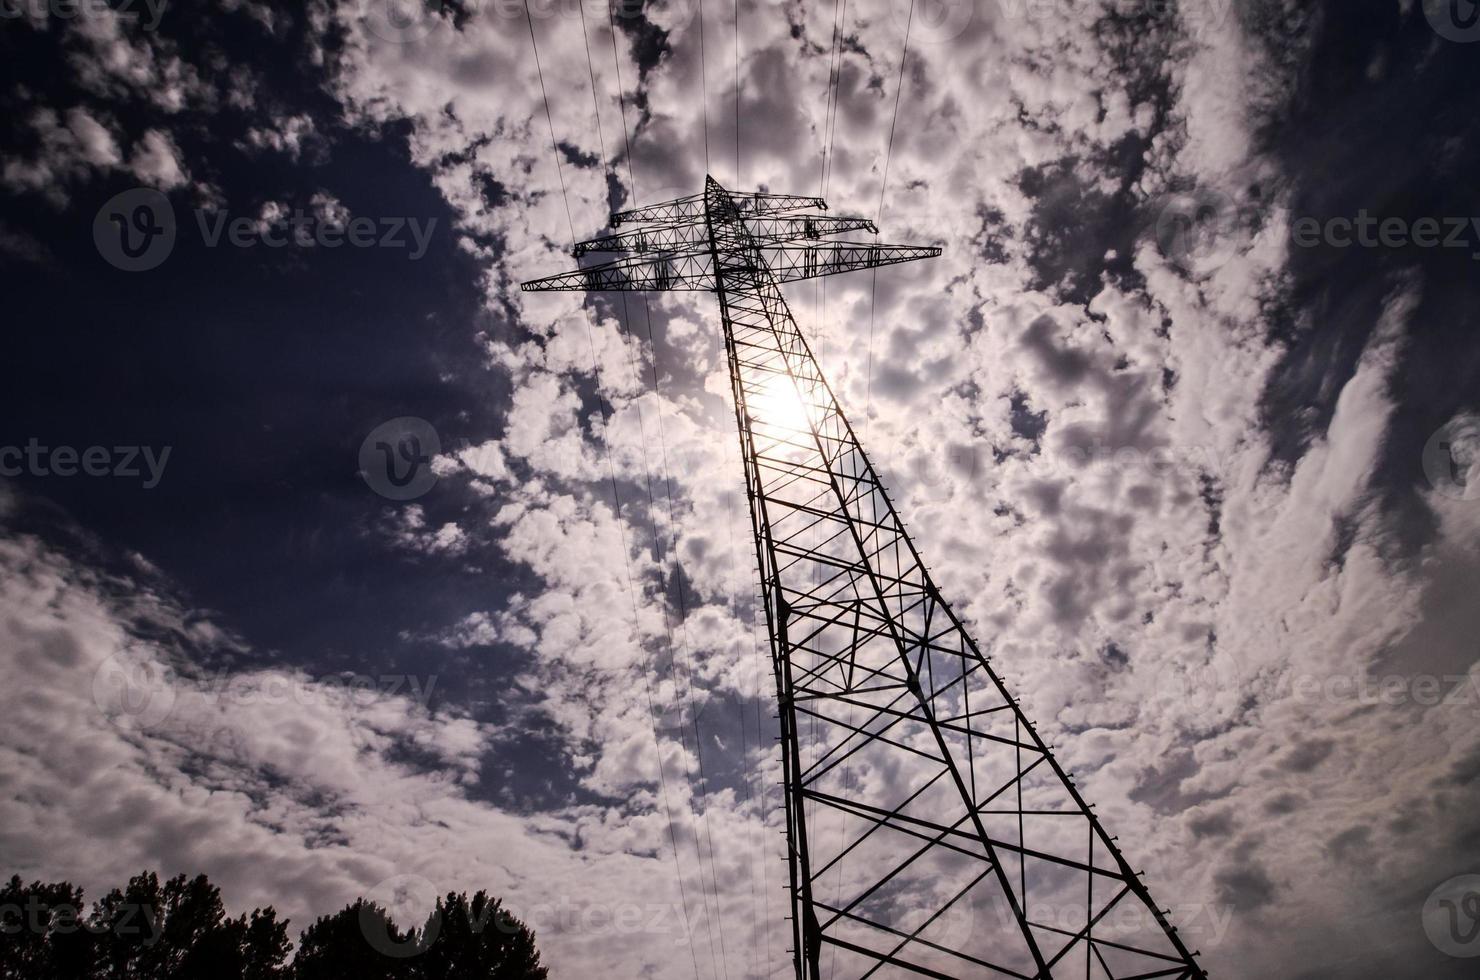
180, 930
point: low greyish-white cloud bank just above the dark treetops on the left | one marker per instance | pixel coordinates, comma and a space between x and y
289, 790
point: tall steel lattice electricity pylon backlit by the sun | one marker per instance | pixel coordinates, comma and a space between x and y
932, 831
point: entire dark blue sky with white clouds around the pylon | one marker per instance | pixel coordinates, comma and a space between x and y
1186, 421
